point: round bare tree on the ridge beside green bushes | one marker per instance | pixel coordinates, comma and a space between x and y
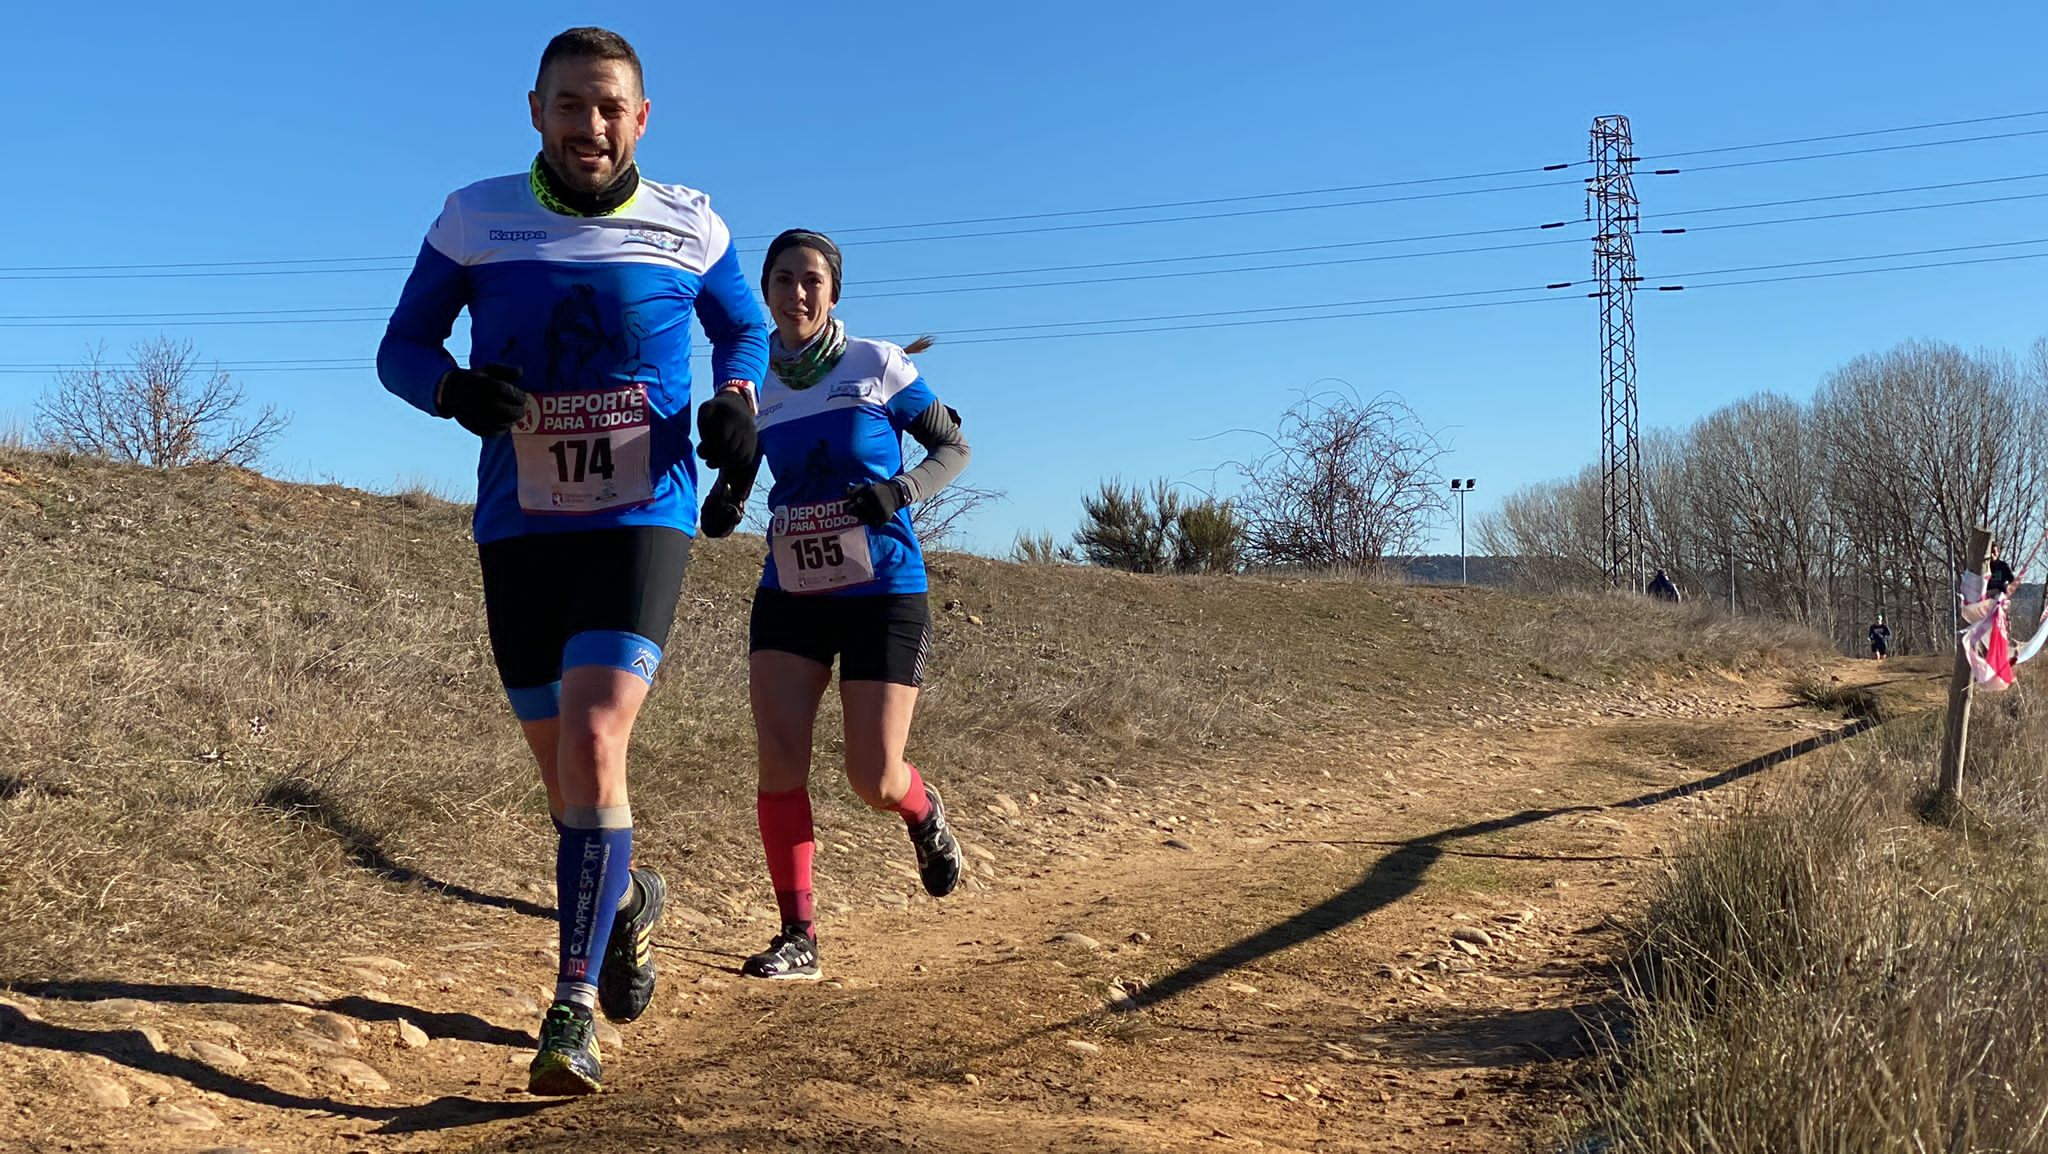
1342, 485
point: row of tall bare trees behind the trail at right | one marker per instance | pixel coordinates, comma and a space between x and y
1830, 511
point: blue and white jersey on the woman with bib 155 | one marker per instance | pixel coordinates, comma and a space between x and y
847, 429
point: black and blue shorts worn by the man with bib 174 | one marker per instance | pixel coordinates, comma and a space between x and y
544, 589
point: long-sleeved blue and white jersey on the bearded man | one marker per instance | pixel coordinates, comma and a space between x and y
597, 317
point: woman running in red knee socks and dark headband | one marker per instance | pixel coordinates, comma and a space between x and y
845, 579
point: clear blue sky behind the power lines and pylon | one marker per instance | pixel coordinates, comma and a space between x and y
255, 132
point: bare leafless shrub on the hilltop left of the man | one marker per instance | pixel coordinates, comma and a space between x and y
161, 411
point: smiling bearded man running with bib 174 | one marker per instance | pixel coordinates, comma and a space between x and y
581, 280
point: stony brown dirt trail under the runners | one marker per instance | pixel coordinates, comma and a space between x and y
1365, 944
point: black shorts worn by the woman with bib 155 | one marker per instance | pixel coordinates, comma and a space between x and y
878, 638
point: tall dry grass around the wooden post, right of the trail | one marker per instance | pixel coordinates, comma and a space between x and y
1834, 975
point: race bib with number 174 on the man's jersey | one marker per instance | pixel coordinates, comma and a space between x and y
585, 452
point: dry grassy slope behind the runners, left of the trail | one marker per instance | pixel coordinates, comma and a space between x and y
251, 718
